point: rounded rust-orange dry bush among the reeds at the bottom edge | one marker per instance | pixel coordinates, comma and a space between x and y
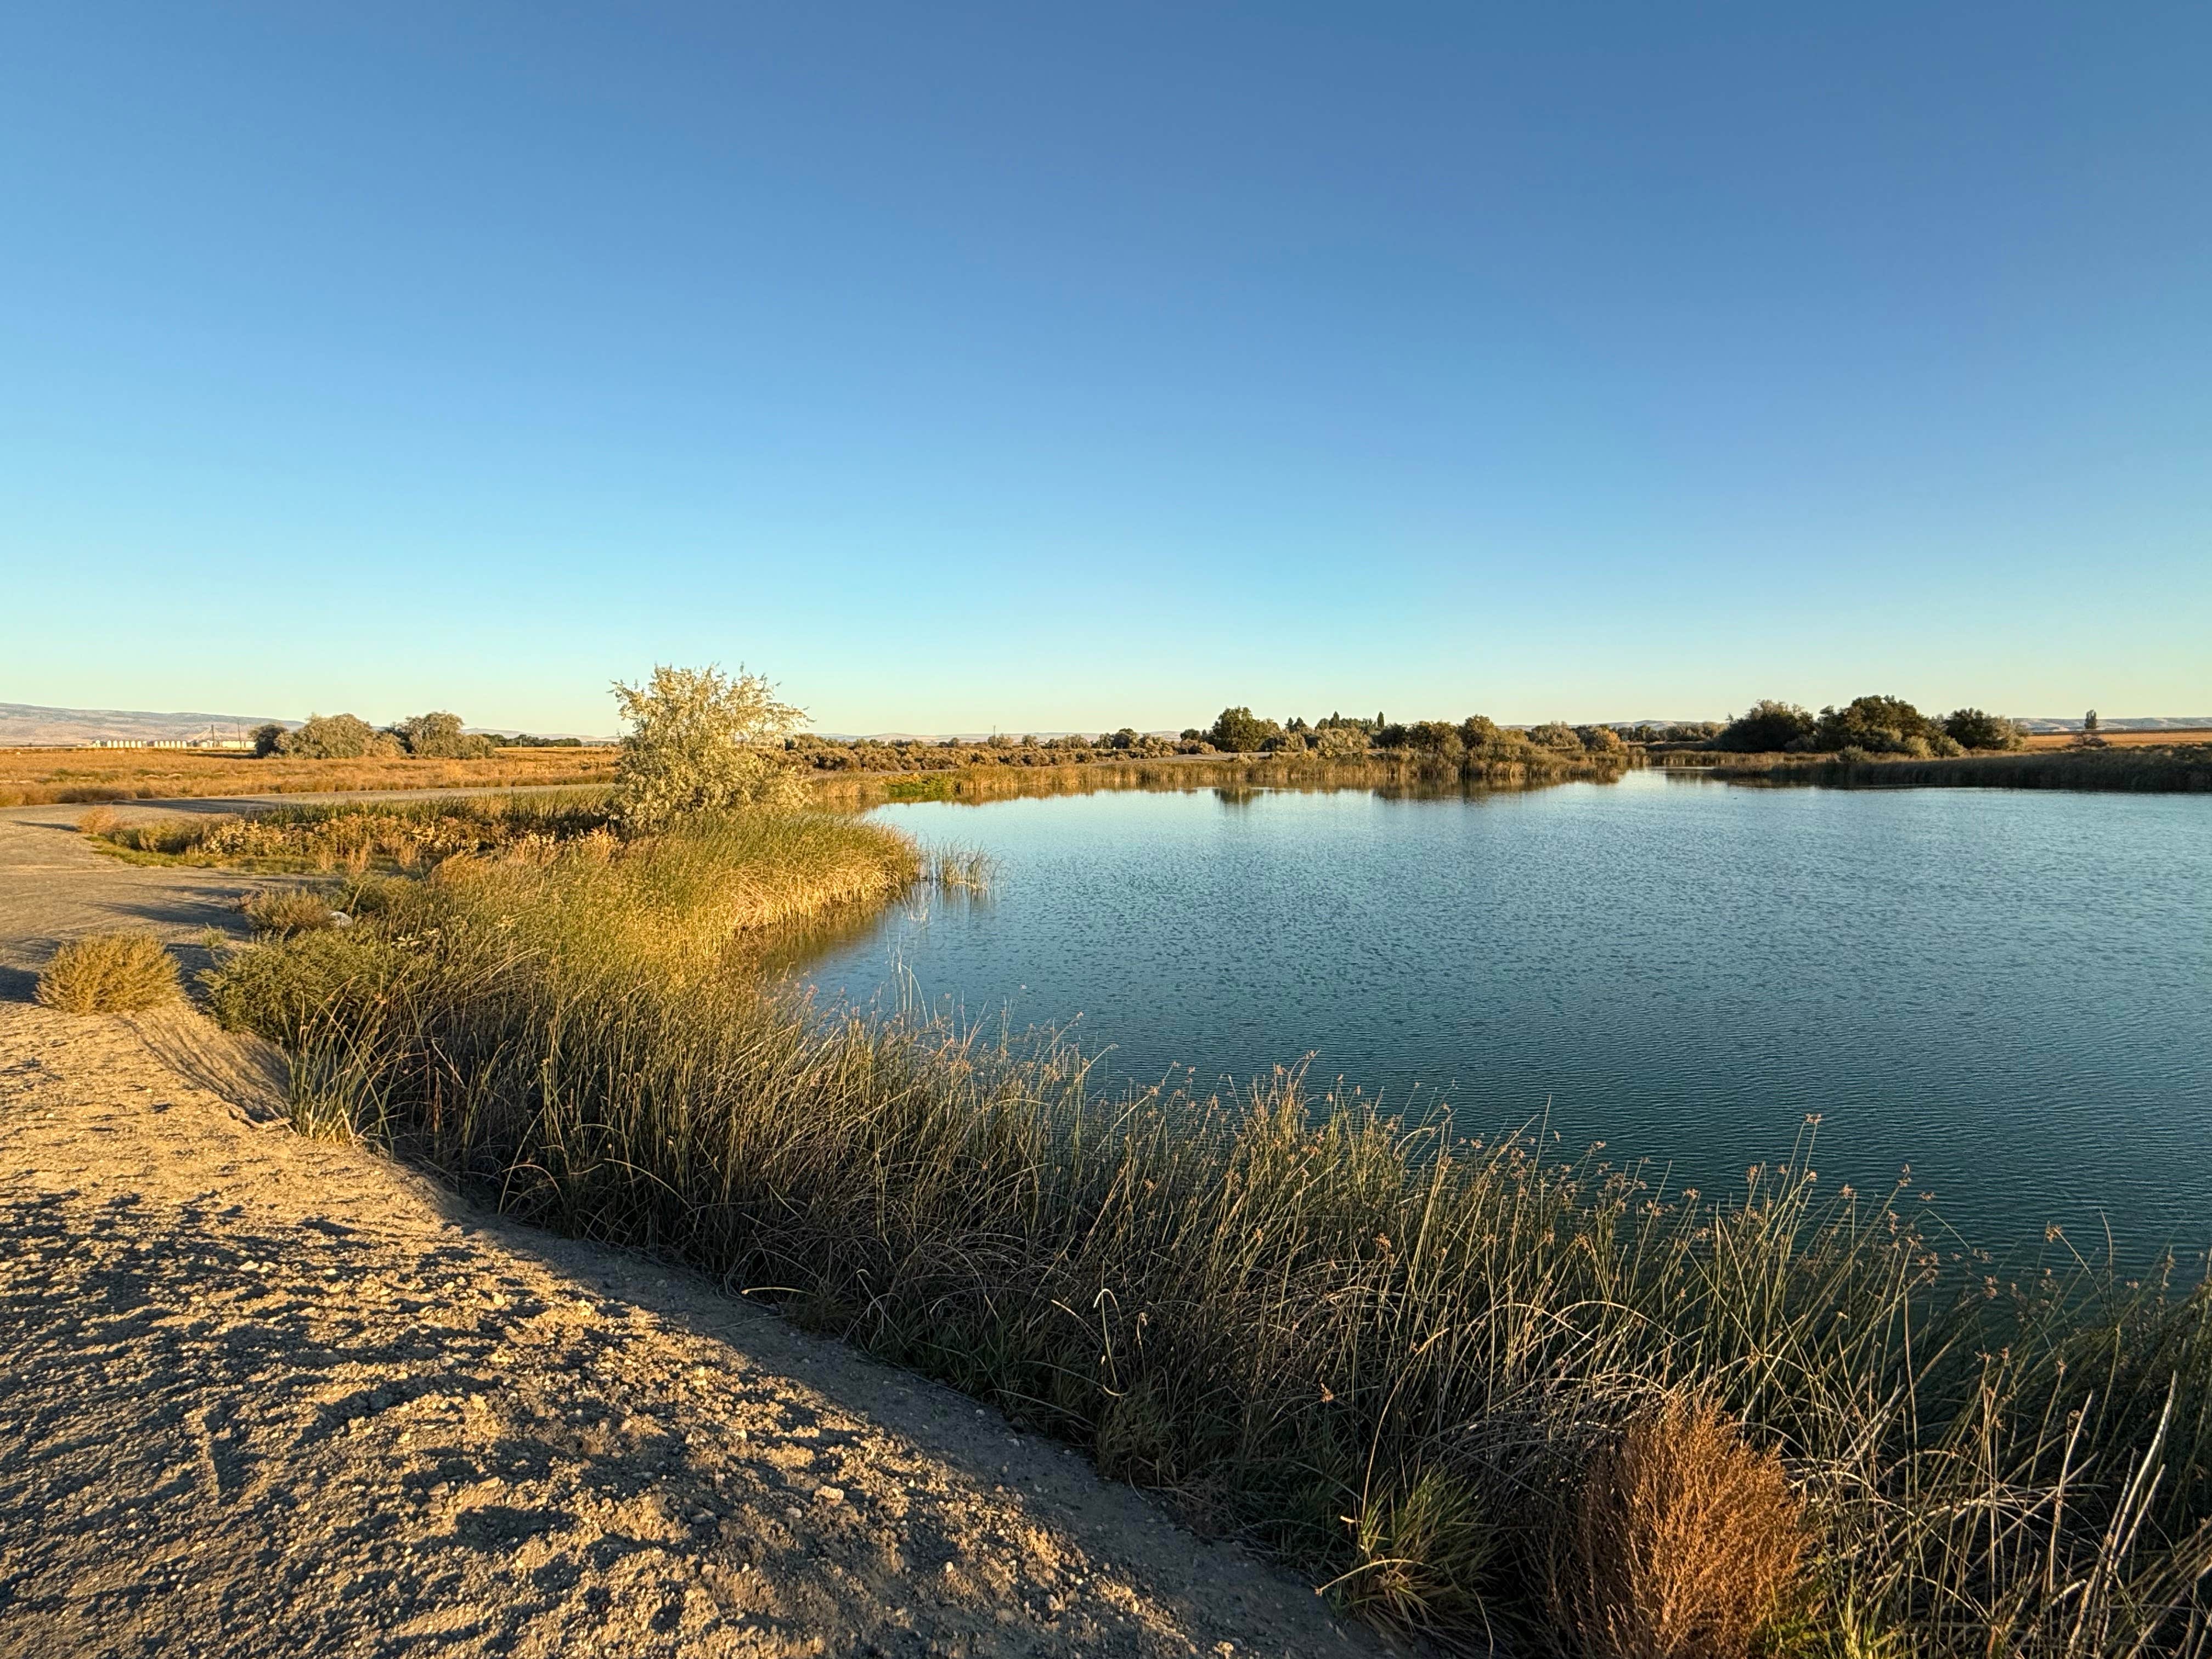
1687, 1545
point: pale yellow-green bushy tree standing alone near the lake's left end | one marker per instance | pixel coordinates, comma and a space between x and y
700, 742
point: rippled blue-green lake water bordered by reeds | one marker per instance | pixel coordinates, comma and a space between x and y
2010, 992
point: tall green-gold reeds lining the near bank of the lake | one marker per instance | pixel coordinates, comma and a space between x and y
1386, 1353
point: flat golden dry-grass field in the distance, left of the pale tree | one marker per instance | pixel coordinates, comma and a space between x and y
36, 778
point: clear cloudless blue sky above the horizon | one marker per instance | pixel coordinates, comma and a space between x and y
1052, 366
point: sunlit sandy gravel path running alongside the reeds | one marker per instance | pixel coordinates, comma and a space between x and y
278, 1397
